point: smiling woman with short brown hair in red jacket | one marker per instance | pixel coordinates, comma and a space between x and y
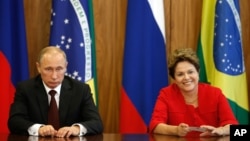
187, 105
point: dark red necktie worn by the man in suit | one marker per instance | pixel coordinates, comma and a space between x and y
53, 114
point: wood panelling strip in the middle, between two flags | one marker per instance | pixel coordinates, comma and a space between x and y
109, 29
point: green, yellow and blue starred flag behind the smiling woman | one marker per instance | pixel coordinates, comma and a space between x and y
221, 50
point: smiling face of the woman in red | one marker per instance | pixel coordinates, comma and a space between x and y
186, 76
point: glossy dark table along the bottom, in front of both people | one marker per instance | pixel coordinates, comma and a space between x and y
112, 137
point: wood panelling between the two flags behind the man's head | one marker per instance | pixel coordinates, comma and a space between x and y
37, 16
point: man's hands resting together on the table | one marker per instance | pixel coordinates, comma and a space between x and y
48, 130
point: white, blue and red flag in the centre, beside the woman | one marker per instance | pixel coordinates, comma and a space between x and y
144, 67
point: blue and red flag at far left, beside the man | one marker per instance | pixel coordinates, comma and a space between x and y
13, 55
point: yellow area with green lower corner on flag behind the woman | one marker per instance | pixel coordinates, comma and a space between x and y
233, 86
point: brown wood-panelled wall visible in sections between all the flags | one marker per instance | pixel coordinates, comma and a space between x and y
183, 19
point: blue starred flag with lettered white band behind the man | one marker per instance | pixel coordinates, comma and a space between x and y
72, 30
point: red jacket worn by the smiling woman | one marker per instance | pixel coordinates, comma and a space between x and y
213, 108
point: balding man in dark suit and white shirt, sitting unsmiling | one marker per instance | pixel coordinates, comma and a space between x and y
78, 114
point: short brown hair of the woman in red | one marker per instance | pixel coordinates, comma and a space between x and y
182, 55
